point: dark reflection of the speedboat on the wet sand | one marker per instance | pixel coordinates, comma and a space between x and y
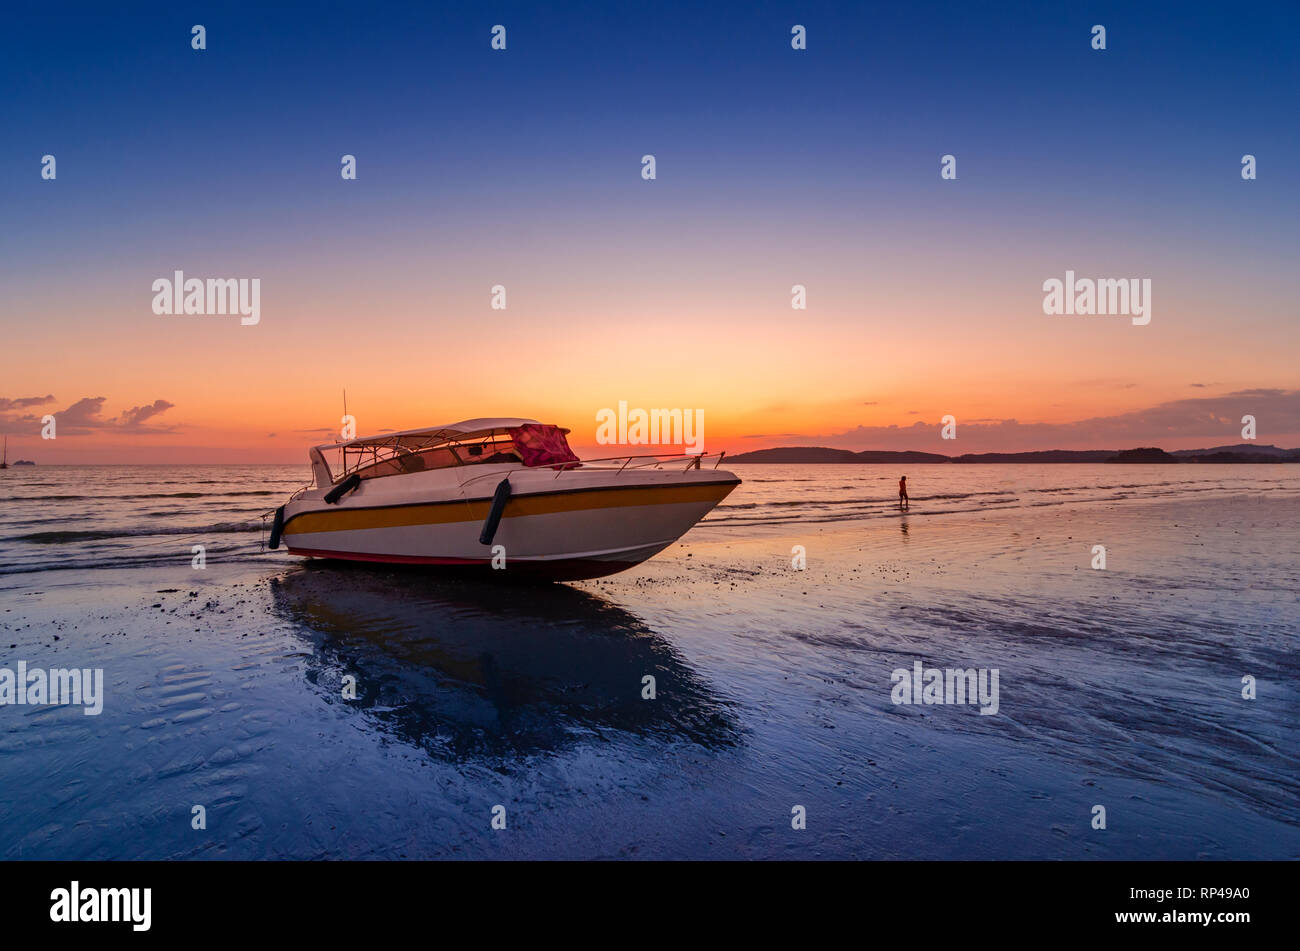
460, 671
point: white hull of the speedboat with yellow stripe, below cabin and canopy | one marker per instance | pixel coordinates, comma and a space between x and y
584, 527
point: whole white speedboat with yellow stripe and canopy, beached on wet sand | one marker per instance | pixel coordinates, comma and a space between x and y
496, 494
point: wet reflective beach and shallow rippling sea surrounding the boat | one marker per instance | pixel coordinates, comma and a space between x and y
227, 687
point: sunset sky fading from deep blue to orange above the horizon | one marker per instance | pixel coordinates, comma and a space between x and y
774, 168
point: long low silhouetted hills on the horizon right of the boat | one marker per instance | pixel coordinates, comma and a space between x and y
807, 455
